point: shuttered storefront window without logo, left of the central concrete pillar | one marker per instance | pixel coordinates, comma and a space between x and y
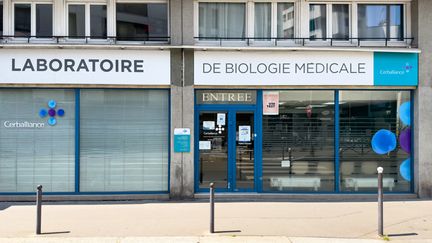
124, 140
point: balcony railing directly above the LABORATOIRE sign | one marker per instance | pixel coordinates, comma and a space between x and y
57, 39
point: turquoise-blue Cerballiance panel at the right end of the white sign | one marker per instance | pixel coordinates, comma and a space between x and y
395, 69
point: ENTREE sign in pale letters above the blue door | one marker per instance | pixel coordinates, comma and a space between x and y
226, 97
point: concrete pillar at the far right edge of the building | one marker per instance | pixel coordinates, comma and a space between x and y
422, 21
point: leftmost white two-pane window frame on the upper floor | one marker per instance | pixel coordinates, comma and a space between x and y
32, 19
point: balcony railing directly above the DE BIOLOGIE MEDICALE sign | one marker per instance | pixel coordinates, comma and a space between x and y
299, 41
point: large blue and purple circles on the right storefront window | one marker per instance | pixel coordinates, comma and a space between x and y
384, 141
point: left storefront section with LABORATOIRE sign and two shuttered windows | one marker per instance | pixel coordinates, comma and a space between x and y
58, 131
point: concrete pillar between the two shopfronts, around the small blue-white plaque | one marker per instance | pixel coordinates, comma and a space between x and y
182, 97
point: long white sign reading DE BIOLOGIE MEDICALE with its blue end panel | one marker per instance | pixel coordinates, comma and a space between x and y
305, 68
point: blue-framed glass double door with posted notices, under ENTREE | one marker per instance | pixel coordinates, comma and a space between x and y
226, 150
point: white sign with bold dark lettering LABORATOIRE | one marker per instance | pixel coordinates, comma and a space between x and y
79, 66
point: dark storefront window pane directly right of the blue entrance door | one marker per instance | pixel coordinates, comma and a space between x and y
298, 143
